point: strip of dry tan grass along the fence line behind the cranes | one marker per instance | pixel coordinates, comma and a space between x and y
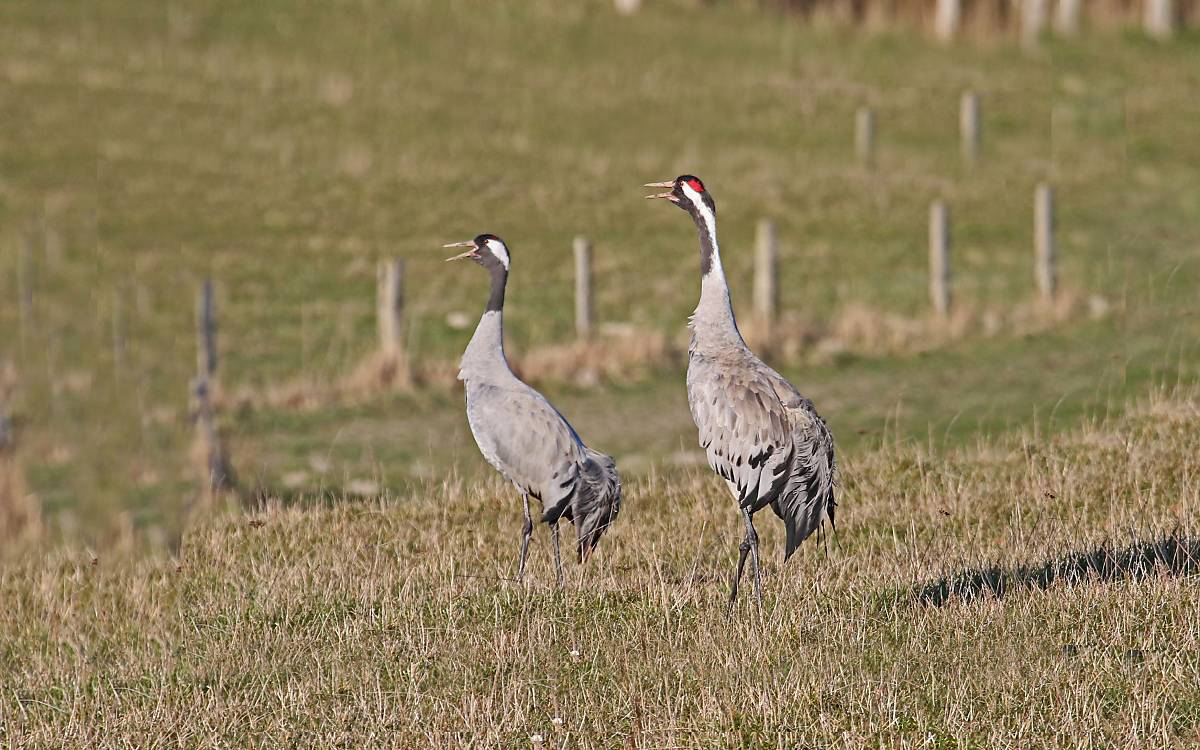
625, 353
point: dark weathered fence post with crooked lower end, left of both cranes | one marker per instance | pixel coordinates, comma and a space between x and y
217, 464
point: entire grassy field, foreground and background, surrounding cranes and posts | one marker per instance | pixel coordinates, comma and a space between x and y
283, 149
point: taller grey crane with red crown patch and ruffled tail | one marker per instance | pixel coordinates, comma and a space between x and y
760, 434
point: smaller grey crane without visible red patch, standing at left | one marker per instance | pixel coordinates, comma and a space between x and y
523, 436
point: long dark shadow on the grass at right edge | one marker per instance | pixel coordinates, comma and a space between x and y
1177, 555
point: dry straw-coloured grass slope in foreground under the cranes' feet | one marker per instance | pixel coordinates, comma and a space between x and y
1022, 593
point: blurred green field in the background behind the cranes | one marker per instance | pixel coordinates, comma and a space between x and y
285, 148
